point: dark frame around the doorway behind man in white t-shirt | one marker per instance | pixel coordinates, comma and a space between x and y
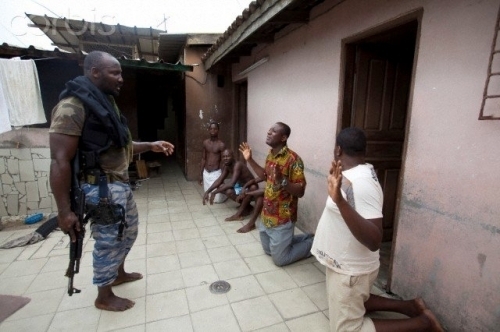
345, 86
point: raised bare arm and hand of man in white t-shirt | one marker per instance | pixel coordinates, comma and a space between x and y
366, 231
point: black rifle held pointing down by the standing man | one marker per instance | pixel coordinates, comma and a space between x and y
77, 198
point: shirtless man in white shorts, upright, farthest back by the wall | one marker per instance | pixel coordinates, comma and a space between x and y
210, 169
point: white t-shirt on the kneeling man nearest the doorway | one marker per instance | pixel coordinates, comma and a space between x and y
334, 245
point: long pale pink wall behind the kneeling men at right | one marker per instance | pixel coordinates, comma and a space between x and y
448, 229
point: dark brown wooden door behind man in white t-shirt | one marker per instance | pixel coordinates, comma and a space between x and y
379, 106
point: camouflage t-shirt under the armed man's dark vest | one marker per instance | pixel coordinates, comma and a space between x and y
68, 117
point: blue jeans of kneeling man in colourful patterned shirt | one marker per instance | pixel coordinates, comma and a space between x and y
285, 248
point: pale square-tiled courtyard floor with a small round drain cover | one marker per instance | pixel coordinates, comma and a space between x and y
183, 247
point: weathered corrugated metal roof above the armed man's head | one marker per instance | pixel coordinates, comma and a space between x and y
84, 36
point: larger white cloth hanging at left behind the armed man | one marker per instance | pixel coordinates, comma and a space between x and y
19, 80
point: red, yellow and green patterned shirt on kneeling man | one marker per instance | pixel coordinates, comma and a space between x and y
280, 206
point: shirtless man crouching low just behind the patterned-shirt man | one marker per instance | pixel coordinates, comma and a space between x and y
240, 174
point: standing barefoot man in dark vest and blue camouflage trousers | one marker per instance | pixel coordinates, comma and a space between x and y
87, 120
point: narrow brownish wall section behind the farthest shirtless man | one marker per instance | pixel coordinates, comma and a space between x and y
205, 102
